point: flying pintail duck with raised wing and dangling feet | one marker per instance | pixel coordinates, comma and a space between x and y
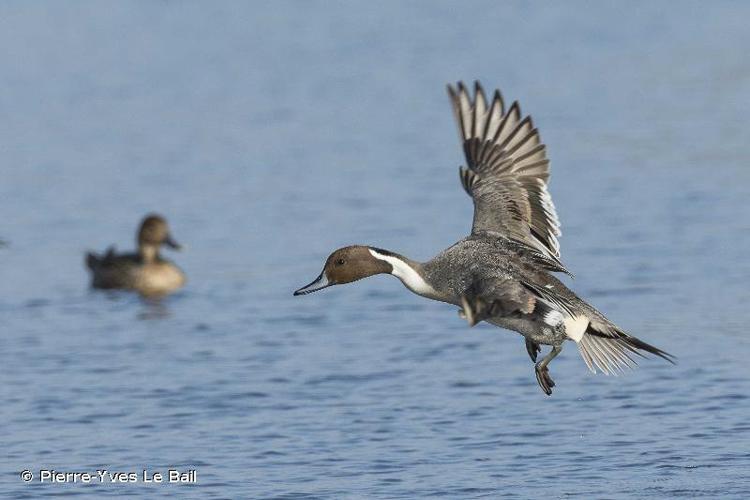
502, 272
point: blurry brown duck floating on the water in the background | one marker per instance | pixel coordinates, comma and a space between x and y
144, 271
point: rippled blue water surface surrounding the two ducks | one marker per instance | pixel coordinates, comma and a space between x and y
270, 134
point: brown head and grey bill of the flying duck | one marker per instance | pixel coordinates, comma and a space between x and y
346, 265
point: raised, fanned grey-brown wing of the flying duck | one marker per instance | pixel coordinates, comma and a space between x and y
507, 170
